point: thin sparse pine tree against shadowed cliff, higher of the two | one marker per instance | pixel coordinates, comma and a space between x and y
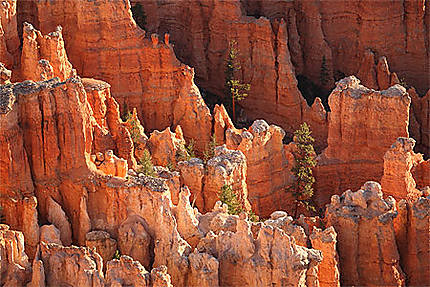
235, 89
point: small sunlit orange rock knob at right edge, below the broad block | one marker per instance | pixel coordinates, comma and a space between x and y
399, 160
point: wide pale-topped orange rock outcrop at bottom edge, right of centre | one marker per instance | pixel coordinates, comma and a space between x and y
268, 253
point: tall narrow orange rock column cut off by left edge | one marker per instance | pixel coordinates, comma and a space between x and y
16, 187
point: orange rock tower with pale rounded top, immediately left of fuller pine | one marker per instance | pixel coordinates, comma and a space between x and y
269, 162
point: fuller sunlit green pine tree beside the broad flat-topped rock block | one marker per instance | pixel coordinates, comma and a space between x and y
302, 189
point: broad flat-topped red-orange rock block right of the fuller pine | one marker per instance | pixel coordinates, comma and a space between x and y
363, 124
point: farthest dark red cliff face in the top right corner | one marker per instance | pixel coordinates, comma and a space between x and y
344, 32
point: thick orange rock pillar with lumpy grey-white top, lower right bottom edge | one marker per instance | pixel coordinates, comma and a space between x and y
363, 221
